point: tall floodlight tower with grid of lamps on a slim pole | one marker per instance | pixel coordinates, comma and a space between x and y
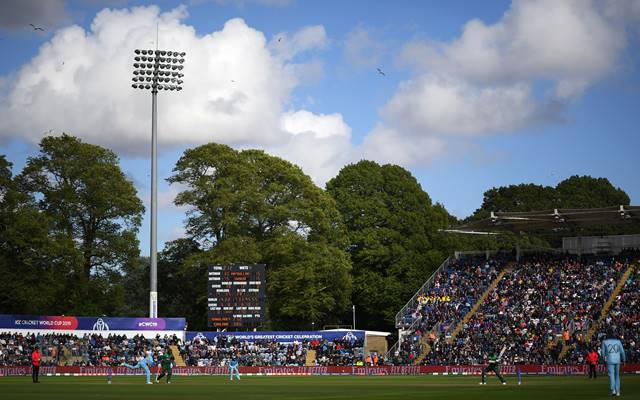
156, 70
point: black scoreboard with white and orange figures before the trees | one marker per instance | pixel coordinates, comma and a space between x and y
236, 296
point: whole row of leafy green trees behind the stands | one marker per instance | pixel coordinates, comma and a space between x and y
70, 218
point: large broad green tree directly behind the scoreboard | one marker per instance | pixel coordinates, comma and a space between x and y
243, 203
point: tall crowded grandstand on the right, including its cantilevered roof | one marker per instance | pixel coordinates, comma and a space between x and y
545, 307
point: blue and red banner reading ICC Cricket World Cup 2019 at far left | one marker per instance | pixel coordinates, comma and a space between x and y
98, 324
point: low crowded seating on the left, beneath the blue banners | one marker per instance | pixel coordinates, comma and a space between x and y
92, 350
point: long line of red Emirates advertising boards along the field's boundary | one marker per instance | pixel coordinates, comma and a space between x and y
320, 370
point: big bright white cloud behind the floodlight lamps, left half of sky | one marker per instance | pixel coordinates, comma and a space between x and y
235, 85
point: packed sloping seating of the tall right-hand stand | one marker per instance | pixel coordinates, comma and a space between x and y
540, 311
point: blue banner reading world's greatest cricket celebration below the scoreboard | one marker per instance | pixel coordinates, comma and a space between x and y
282, 336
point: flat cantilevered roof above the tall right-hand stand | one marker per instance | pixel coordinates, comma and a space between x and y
550, 220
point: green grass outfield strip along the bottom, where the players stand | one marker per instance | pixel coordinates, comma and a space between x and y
316, 387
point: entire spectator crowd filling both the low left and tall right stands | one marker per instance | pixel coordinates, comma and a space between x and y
543, 310
